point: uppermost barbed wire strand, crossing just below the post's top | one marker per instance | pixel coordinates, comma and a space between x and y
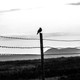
19, 38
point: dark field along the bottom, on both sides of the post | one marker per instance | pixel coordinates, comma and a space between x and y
55, 69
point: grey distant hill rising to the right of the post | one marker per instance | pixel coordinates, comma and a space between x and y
63, 51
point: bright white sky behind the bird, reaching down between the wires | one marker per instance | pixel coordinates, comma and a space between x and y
59, 19
